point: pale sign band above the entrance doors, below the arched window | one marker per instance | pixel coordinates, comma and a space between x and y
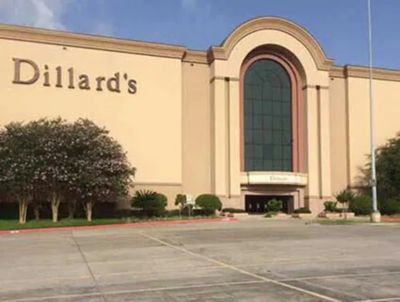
273, 178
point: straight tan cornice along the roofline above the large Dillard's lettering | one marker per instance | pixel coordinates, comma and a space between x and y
20, 33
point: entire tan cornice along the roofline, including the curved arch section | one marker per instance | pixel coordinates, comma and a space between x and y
27, 34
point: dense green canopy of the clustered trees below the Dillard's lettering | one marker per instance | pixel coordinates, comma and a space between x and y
55, 159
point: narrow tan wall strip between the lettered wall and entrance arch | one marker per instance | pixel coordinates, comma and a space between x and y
196, 129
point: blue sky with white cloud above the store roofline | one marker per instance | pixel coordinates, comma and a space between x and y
340, 26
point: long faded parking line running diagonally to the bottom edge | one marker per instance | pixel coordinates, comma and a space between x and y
234, 268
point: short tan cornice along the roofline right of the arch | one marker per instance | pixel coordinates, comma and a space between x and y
351, 71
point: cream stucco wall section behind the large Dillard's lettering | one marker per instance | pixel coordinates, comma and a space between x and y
148, 124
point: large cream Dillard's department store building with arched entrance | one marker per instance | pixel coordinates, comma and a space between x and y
265, 114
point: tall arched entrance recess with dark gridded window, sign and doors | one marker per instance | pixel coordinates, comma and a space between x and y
272, 130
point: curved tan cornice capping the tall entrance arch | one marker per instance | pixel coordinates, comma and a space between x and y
223, 52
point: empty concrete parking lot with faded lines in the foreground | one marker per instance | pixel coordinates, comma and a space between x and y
254, 260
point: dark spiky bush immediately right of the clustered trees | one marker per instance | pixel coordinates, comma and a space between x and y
151, 203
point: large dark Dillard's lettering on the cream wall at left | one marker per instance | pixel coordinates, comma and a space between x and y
59, 78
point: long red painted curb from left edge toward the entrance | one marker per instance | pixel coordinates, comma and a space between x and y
116, 226
